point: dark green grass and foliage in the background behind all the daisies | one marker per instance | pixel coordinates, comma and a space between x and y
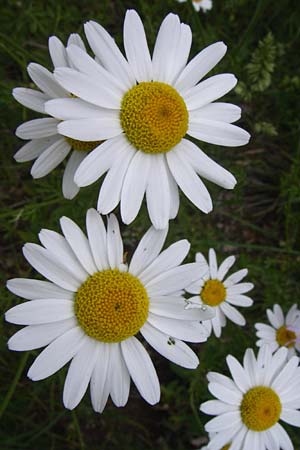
259, 221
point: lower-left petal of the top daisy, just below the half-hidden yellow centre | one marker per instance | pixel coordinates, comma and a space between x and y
96, 163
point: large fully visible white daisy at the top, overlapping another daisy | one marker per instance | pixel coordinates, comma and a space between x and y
144, 108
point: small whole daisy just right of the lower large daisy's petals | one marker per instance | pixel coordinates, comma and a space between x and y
219, 293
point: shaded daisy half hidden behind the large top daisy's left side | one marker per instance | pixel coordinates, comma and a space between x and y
46, 145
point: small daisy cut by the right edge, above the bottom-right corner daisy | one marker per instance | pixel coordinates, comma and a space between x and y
284, 331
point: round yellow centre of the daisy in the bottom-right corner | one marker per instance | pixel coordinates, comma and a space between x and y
260, 408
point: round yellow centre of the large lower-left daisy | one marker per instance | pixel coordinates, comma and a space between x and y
111, 305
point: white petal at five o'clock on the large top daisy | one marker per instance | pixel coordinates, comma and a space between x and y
188, 180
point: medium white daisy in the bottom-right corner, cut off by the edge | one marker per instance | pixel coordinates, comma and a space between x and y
250, 405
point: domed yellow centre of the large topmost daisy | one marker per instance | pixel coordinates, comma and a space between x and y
154, 117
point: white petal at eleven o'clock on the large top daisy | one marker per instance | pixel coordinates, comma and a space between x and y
105, 48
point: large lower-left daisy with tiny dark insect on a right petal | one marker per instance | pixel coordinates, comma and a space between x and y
94, 305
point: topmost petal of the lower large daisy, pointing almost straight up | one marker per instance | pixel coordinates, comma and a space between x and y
97, 238
